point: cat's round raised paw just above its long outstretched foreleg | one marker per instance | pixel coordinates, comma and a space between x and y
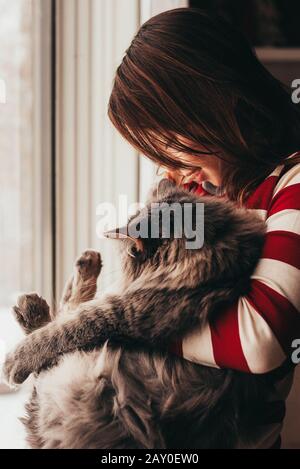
31, 312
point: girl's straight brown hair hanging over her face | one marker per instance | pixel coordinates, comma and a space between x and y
190, 74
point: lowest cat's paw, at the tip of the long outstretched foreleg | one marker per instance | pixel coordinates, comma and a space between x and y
15, 370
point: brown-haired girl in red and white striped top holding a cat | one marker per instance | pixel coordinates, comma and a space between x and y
191, 95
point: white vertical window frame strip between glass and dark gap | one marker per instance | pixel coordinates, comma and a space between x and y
42, 262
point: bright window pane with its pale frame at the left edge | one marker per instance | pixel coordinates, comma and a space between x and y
25, 200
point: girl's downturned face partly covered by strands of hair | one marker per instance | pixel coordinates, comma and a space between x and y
207, 167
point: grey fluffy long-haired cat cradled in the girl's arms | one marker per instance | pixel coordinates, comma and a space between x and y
129, 391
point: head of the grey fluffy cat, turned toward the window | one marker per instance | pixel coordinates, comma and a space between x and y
188, 240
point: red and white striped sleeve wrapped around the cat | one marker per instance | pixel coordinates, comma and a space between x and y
255, 334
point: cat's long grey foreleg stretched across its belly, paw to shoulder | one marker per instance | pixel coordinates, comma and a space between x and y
132, 315
